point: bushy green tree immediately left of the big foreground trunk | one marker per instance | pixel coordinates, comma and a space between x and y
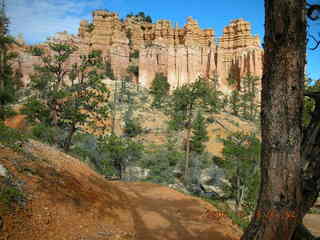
241, 153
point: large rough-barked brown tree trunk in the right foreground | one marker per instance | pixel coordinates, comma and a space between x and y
279, 209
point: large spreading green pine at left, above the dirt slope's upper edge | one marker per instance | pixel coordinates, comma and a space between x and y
82, 102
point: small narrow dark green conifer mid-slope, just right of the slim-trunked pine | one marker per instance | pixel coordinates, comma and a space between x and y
200, 134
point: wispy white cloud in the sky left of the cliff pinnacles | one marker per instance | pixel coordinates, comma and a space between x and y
38, 19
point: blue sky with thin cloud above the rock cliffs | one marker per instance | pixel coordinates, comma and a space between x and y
38, 19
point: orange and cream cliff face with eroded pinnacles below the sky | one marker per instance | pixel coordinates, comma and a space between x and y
182, 54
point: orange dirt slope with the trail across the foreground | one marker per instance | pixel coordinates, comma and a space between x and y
65, 199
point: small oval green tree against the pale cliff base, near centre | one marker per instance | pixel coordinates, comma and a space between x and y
159, 89
